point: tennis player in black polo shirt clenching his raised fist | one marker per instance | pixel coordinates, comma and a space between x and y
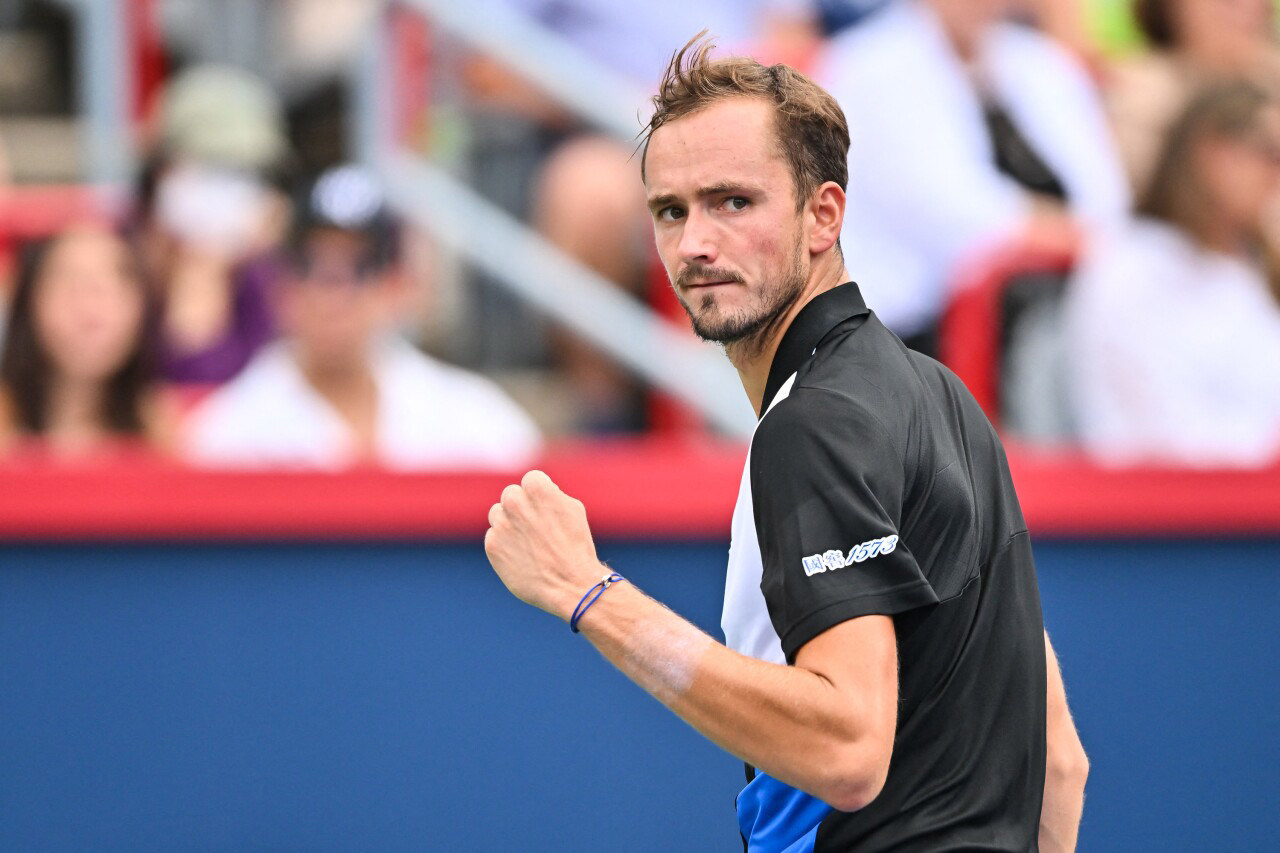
886, 676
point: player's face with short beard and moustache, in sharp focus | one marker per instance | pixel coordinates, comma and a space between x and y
725, 220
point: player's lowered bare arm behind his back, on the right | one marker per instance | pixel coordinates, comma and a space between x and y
1066, 767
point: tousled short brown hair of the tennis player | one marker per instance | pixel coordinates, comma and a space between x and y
811, 126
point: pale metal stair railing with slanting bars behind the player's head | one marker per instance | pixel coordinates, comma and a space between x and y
515, 256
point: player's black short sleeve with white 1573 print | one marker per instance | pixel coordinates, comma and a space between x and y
828, 486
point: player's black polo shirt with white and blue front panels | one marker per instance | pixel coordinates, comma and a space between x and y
875, 485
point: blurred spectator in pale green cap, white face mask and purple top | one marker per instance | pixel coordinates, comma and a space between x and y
209, 216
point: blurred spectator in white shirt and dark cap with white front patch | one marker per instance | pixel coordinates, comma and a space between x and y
340, 389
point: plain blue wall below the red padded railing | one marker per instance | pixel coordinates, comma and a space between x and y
395, 697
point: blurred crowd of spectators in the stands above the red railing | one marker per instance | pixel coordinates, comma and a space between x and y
259, 303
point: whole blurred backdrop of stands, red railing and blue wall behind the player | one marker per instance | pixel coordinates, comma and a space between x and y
291, 289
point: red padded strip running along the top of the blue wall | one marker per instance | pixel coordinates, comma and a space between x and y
633, 490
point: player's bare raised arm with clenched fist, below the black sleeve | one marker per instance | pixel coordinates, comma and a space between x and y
825, 726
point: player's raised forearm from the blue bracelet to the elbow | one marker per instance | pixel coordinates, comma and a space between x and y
787, 720
